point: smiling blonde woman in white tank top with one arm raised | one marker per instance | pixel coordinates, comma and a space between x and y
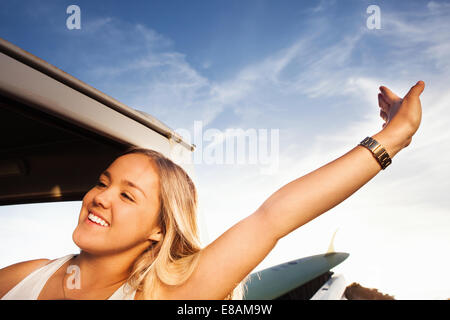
138, 235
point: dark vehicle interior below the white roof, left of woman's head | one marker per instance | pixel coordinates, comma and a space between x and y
43, 158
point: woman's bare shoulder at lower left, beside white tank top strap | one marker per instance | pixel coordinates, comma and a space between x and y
10, 276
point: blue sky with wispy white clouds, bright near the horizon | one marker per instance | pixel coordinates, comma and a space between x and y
307, 74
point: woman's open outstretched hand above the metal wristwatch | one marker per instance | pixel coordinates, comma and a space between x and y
402, 116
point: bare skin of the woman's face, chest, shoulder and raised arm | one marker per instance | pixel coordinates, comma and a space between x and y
232, 256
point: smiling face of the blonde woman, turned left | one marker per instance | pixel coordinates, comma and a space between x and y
121, 212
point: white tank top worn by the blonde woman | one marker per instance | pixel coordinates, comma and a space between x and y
30, 287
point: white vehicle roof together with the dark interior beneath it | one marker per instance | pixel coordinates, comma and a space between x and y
58, 133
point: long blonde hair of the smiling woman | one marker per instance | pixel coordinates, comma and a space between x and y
173, 259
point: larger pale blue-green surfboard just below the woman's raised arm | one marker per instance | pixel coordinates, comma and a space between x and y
275, 281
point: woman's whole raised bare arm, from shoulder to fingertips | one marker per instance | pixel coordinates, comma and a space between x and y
232, 256
